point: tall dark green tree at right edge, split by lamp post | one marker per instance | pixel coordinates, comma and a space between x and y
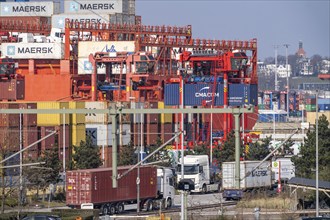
305, 163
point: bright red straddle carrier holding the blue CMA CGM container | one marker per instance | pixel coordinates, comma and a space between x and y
213, 67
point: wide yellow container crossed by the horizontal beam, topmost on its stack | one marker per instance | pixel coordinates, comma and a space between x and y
52, 119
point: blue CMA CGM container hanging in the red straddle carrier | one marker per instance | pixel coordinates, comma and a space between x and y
204, 94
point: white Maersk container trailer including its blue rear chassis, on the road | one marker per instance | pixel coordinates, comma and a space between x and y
257, 179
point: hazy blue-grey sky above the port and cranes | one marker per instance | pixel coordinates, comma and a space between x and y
271, 22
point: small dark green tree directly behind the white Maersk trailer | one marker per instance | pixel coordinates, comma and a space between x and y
259, 150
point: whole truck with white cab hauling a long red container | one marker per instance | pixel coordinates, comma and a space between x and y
92, 188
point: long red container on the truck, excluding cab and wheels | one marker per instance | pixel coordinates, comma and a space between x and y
94, 185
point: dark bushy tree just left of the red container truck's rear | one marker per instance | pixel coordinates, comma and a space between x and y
43, 175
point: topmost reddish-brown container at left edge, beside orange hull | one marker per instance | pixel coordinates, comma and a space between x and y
12, 90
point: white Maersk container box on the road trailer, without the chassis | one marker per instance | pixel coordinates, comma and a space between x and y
261, 177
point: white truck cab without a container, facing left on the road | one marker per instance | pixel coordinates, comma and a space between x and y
197, 169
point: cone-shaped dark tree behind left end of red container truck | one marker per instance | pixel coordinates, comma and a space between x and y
86, 156
